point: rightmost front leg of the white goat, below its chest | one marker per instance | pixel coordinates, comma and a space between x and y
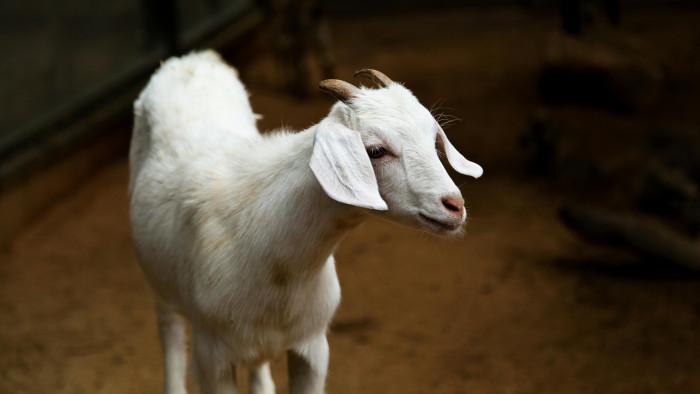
307, 364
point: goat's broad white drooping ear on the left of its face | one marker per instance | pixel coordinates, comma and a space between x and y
342, 167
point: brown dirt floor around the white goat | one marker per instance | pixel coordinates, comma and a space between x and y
518, 305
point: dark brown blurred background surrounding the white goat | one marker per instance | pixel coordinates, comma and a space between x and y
579, 270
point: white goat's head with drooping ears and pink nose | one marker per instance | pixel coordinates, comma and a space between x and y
377, 150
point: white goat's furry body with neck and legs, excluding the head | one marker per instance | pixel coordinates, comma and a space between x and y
234, 231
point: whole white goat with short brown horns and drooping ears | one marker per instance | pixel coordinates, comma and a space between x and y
235, 230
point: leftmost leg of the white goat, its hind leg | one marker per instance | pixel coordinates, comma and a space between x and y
172, 328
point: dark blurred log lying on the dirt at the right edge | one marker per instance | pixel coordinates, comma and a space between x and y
641, 236
